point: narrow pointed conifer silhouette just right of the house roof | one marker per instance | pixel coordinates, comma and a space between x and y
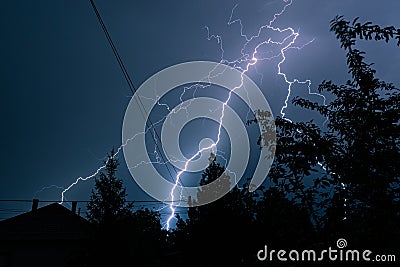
109, 212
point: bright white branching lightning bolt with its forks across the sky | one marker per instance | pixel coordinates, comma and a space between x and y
243, 63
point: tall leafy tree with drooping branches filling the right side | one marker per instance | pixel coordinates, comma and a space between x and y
346, 173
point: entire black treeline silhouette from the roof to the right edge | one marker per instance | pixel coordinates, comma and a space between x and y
339, 180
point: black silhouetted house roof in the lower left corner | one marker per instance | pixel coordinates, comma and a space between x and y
51, 222
